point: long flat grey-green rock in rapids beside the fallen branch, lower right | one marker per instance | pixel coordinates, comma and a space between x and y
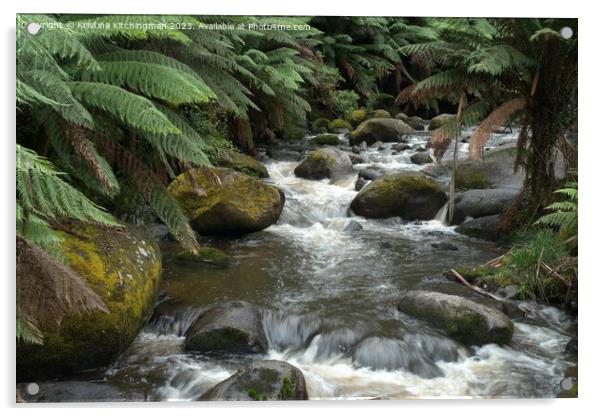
462, 319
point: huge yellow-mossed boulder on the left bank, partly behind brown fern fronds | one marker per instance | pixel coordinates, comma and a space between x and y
123, 266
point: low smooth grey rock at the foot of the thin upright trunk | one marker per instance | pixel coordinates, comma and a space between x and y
481, 202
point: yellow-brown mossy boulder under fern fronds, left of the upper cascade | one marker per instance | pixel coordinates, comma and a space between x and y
234, 203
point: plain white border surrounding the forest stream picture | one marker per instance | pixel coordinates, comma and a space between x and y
590, 97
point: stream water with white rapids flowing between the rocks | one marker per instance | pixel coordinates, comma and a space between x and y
329, 298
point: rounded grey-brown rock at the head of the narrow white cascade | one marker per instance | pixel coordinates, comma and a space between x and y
325, 163
